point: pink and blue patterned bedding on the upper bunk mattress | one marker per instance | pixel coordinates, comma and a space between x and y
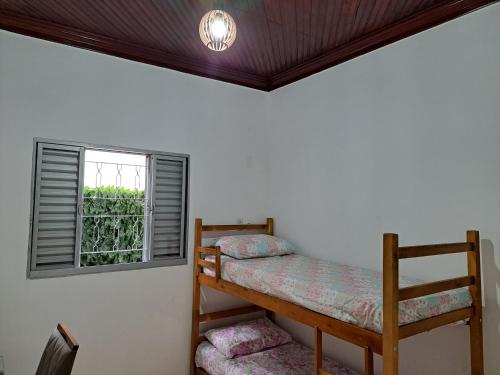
350, 294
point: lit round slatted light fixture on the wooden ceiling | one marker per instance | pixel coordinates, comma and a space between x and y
217, 30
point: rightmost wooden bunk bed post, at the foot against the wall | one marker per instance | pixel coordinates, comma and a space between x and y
475, 323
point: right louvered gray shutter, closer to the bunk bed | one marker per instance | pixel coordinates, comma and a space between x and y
169, 211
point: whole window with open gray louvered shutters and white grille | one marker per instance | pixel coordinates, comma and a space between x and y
101, 208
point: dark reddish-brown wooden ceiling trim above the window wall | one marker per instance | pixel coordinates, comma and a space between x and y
74, 37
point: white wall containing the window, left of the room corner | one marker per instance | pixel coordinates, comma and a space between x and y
133, 322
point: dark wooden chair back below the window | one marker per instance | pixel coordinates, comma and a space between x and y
59, 354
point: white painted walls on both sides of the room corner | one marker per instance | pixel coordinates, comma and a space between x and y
403, 139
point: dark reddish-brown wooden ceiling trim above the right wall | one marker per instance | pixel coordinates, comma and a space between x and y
378, 38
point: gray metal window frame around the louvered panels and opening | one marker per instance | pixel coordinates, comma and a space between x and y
182, 259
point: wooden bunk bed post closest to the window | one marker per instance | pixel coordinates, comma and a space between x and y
195, 323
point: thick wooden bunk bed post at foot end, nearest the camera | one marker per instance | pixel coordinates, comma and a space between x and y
390, 338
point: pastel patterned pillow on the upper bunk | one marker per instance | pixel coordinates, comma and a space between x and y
254, 246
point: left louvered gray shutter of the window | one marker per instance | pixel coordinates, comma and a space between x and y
56, 223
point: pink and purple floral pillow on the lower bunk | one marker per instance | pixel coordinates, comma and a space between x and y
247, 337
